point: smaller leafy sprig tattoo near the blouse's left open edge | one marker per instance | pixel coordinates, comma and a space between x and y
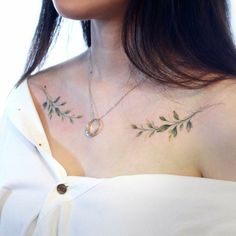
53, 106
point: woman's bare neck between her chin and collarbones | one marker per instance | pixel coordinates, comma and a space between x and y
109, 61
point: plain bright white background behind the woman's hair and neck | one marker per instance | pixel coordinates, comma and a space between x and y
18, 20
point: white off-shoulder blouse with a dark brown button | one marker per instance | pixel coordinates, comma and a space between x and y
131, 205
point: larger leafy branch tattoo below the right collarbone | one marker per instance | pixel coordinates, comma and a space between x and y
171, 125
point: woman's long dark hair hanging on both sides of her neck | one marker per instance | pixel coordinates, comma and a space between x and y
162, 38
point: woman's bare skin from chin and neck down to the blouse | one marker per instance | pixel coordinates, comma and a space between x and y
197, 150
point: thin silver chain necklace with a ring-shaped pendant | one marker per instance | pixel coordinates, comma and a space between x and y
95, 125
